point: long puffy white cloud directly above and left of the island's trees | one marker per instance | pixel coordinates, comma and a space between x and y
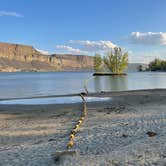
94, 46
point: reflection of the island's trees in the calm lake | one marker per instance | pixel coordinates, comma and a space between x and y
107, 83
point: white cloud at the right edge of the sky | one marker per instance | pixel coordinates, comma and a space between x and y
148, 38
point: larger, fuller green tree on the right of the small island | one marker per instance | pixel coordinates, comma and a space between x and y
116, 61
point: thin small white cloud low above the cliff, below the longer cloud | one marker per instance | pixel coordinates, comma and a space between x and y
70, 49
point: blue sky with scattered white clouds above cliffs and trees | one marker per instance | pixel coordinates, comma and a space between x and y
87, 26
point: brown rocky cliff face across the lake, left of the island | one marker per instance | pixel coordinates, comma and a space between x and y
14, 57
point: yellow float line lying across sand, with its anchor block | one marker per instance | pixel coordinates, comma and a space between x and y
73, 133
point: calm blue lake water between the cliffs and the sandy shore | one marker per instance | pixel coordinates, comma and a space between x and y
54, 83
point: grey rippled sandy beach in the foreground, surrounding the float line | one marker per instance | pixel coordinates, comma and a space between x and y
129, 129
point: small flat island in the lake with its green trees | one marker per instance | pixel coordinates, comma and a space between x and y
113, 63
